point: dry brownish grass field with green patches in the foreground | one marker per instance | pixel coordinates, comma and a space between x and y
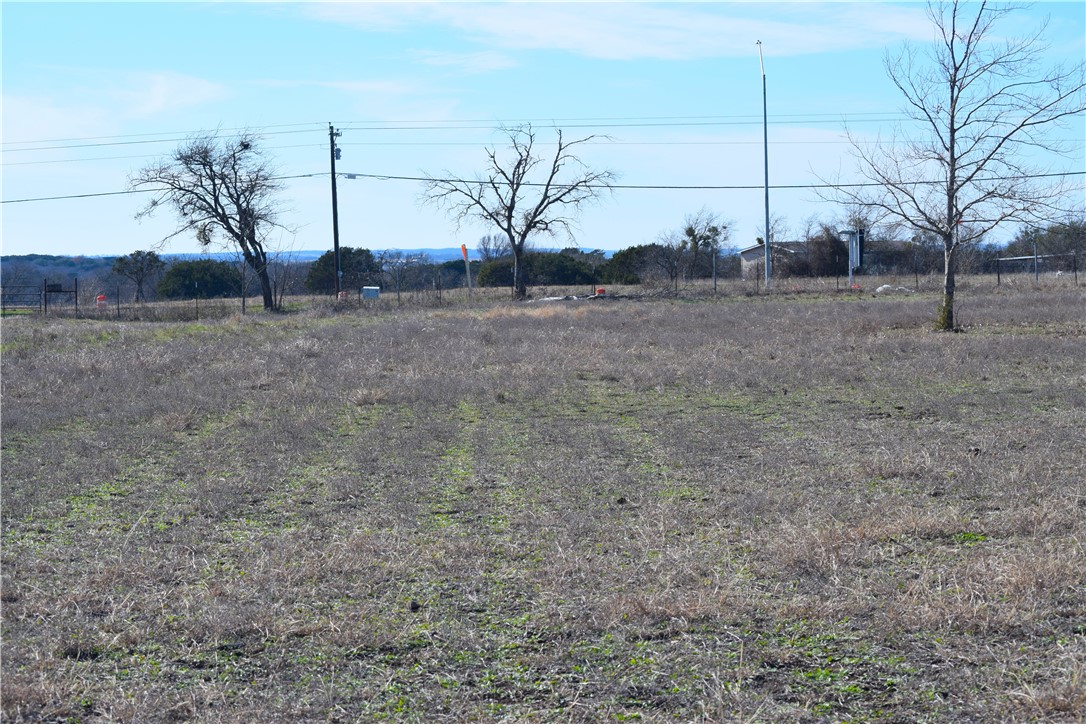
799, 507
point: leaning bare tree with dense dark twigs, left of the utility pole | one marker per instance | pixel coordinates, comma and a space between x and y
219, 187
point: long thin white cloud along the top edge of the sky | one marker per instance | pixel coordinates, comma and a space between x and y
630, 31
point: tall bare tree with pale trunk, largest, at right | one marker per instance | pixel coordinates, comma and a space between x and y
983, 109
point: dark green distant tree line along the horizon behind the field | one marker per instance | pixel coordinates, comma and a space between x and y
672, 261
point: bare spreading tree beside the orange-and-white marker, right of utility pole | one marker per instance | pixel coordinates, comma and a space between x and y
523, 194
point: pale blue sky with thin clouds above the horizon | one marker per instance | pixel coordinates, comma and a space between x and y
94, 92
